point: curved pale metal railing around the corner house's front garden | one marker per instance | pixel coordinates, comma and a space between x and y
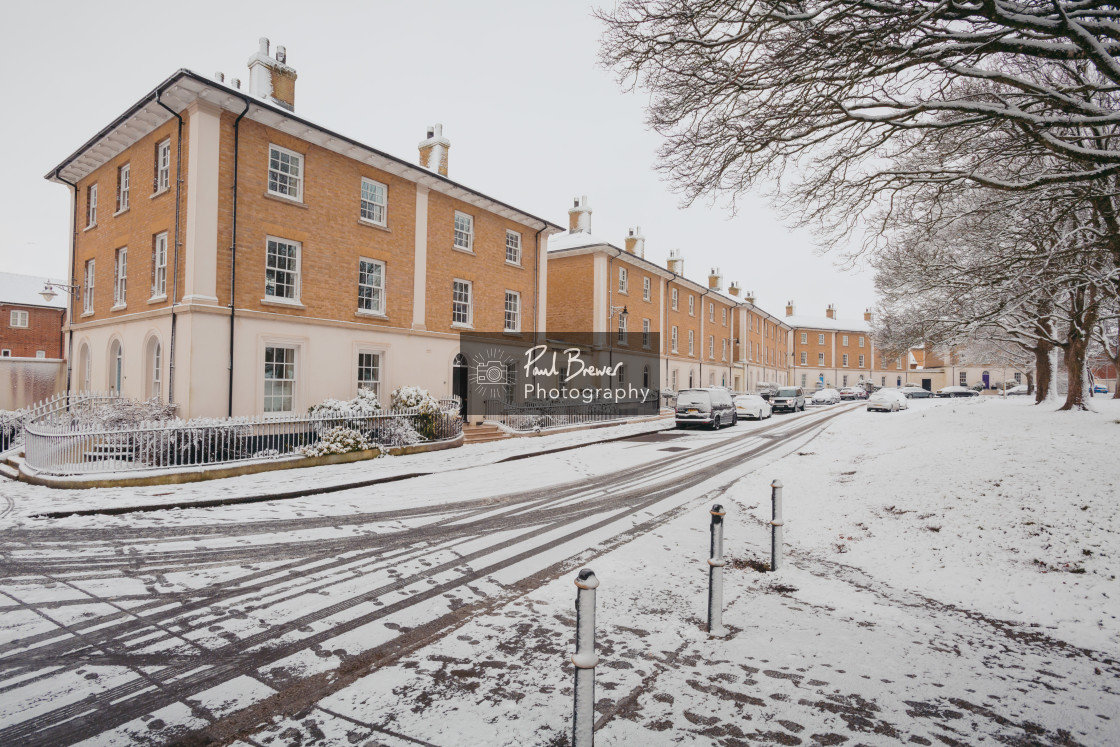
63, 444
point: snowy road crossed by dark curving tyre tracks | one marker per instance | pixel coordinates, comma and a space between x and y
148, 628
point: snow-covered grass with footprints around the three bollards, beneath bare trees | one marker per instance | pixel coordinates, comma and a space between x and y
951, 578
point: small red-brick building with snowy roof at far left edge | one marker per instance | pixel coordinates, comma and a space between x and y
30, 326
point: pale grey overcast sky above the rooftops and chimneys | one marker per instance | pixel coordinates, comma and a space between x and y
533, 118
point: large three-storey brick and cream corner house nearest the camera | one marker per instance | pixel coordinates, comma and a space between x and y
238, 259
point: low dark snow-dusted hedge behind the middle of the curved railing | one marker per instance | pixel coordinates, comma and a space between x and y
195, 442
